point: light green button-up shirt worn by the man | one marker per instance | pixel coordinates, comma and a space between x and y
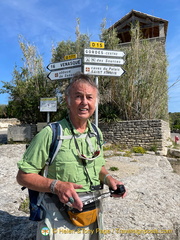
67, 166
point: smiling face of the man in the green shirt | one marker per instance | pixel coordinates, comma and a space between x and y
82, 100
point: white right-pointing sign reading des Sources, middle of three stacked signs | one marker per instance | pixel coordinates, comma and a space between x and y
109, 61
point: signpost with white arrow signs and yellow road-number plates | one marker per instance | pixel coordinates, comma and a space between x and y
97, 62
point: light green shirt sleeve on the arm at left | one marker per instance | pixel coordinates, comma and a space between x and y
37, 153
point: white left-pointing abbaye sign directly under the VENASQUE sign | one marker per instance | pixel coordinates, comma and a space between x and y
63, 74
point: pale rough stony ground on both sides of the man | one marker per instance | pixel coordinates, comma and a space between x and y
152, 202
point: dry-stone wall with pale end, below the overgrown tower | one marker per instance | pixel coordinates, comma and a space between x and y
146, 133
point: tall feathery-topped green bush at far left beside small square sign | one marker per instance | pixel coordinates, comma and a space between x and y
28, 85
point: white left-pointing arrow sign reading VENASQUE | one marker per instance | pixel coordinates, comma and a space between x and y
66, 64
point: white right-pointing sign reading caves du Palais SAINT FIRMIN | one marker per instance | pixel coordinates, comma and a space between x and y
100, 70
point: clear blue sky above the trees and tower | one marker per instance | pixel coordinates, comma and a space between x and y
46, 22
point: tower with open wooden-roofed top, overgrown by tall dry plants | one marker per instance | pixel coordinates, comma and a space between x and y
145, 66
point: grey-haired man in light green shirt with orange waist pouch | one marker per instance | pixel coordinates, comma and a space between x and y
77, 171
